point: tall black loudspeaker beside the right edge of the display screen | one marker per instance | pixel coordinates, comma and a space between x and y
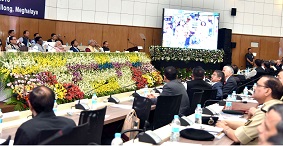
224, 39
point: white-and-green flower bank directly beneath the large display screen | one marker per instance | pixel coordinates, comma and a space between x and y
186, 54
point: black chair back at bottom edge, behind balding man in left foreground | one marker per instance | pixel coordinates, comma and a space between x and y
78, 136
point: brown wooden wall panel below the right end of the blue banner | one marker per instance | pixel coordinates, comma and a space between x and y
46, 28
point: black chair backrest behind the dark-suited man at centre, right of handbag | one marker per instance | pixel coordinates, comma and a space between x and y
166, 108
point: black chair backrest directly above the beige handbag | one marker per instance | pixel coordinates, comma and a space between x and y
142, 106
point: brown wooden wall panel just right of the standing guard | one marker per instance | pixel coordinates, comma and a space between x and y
269, 48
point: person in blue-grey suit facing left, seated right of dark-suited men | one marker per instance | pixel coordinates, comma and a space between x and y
218, 79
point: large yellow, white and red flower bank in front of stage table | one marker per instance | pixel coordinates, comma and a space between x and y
75, 76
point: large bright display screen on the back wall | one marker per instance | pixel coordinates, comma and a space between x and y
190, 29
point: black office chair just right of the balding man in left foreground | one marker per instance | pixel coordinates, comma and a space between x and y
95, 118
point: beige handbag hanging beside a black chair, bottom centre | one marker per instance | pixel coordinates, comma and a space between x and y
131, 122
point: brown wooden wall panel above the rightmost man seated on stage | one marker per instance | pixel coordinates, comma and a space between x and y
116, 36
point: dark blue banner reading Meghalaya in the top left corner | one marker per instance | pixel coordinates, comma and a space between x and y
23, 8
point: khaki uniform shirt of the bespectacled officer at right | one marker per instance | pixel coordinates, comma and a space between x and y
248, 134
